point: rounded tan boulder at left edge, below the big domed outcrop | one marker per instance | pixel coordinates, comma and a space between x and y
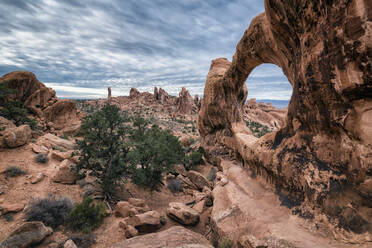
17, 136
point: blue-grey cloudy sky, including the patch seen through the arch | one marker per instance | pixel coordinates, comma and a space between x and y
81, 47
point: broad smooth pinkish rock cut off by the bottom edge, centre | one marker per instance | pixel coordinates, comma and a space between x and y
174, 237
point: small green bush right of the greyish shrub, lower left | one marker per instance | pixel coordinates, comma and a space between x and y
87, 215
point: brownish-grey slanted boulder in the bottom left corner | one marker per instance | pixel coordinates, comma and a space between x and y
30, 233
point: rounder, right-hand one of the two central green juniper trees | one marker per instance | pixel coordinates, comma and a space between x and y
153, 152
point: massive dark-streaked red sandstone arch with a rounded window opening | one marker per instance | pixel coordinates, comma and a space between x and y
322, 155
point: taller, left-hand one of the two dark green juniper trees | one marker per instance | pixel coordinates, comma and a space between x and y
103, 149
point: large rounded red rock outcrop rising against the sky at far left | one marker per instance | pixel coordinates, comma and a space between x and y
40, 100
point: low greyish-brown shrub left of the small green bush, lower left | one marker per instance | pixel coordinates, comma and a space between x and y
52, 211
